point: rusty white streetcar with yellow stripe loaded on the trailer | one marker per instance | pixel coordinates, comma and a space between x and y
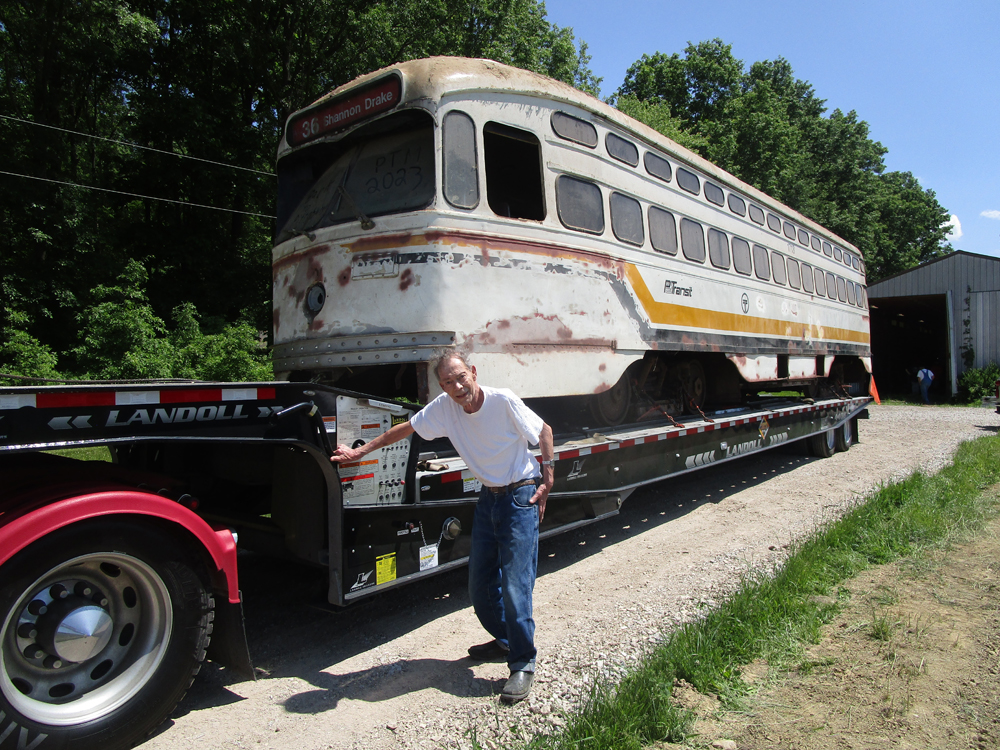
569, 249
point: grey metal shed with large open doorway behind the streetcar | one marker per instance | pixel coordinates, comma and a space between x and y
943, 315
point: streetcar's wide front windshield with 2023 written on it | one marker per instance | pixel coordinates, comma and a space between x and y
385, 167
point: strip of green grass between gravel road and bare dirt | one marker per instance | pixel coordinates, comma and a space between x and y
774, 612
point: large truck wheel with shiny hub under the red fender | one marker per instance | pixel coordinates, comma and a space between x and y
149, 621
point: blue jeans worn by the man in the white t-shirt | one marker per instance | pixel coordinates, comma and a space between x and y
502, 566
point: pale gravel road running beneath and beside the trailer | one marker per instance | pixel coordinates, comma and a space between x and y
392, 672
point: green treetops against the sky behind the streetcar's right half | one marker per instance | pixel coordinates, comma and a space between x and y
770, 129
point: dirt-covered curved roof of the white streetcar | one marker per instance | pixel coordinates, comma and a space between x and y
431, 78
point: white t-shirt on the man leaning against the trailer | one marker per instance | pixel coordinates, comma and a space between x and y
493, 442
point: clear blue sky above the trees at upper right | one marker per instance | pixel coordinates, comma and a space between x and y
924, 75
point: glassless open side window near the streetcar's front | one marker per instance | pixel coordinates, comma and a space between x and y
513, 159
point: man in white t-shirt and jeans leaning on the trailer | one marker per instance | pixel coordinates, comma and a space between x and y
491, 429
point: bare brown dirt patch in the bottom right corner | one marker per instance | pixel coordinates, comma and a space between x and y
911, 661
